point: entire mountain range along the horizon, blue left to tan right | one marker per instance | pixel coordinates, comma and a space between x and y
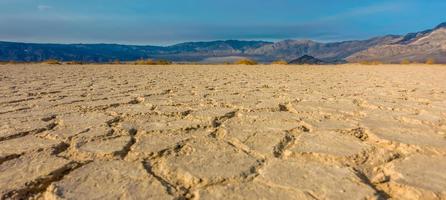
418, 46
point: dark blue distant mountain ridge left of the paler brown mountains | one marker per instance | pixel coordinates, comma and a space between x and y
191, 51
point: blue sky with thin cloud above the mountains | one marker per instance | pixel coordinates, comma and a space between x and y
163, 22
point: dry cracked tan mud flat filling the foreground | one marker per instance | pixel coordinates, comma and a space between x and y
222, 132
